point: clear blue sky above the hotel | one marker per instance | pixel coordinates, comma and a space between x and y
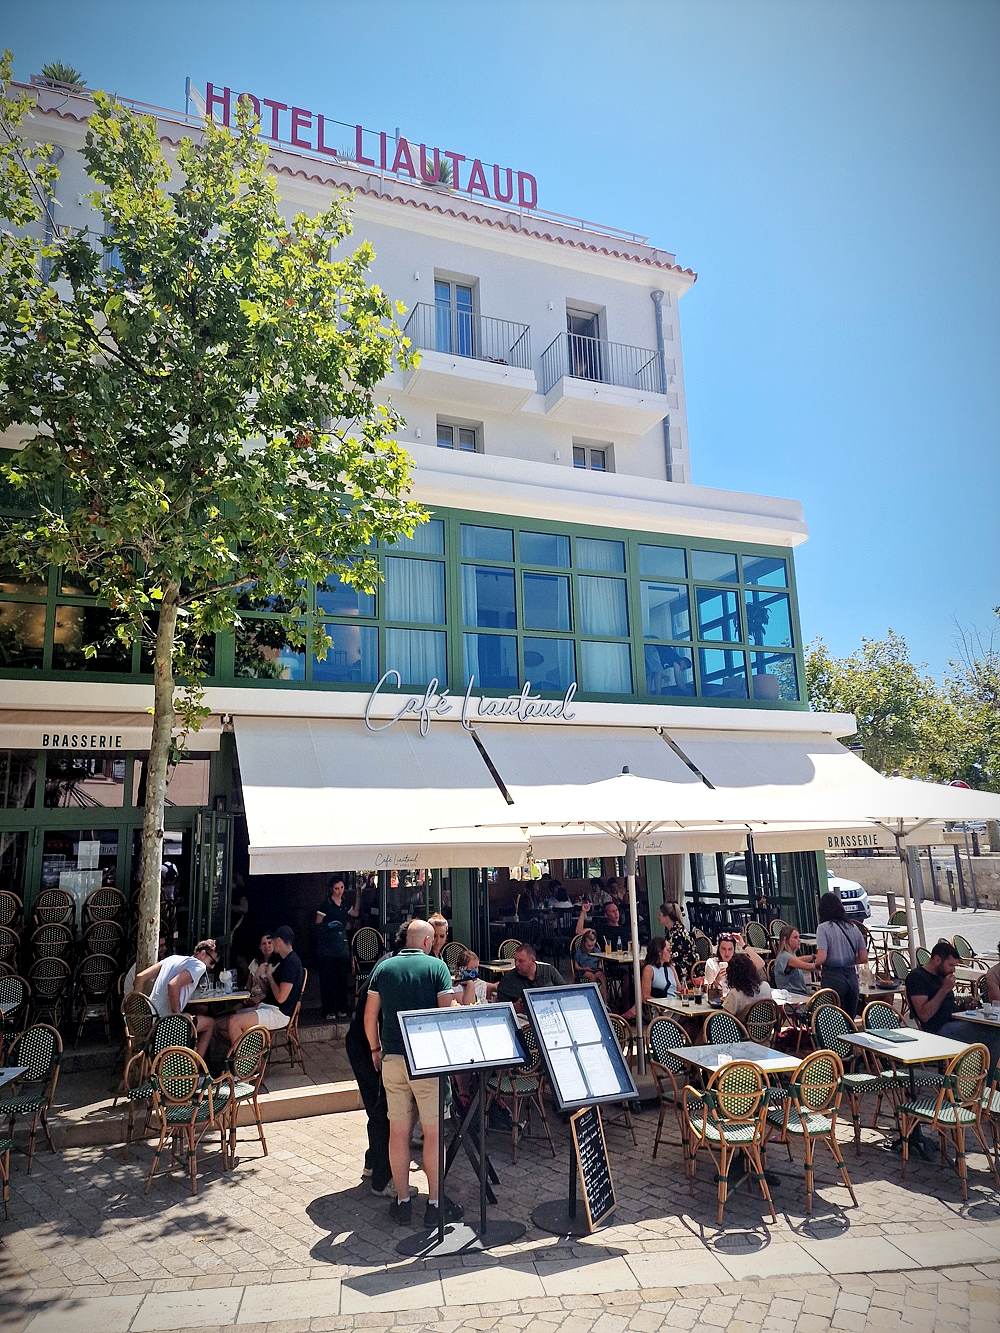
830, 169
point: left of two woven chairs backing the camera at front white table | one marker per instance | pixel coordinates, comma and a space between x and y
729, 1118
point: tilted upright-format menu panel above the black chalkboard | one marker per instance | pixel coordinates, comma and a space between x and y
585, 1062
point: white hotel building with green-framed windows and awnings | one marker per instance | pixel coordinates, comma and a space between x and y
571, 558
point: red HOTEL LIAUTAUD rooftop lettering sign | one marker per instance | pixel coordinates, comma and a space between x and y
311, 131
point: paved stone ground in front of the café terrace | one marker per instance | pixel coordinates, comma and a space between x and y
295, 1242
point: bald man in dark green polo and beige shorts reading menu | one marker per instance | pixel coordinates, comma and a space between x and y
414, 979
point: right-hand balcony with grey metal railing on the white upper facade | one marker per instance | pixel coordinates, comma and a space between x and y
591, 383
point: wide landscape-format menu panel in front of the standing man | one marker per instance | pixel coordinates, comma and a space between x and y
462, 1038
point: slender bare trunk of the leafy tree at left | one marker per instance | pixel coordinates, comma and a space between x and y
157, 778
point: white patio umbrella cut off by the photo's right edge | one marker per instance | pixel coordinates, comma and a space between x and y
899, 806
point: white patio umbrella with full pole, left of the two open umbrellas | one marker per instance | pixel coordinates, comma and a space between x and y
627, 810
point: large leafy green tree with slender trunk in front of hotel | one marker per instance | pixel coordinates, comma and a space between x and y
198, 389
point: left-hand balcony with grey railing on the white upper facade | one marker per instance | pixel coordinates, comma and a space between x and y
470, 359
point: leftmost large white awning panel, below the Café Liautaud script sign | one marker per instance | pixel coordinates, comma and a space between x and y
331, 795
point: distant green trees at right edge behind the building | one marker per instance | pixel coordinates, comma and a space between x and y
907, 722
